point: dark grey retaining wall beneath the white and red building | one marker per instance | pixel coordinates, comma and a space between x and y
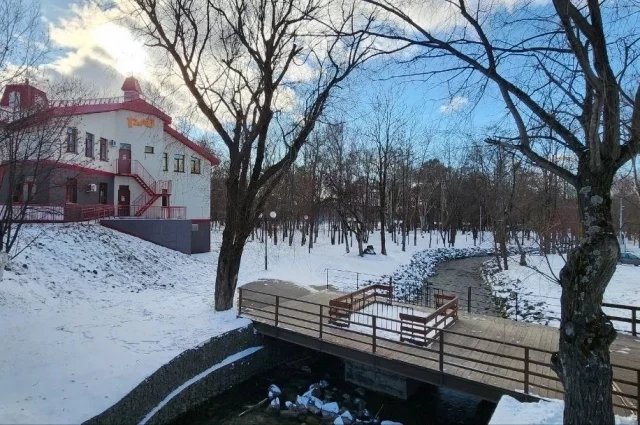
179, 235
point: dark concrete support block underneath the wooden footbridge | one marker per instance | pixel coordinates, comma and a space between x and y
379, 380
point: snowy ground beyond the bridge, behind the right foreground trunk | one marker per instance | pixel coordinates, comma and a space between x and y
539, 293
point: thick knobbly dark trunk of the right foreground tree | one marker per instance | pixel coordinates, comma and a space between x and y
583, 362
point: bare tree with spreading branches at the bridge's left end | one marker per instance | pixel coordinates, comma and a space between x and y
261, 72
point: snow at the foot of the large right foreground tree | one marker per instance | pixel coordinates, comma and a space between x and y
545, 412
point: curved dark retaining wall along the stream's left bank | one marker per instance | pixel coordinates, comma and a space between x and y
154, 389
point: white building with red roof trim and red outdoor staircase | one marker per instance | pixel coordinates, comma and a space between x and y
120, 157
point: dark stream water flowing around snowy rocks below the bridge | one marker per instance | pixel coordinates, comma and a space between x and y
429, 405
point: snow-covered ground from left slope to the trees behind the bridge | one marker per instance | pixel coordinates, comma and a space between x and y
88, 312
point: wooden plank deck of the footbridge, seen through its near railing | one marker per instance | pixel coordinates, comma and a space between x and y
481, 355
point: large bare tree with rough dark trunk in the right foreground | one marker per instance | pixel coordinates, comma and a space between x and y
566, 76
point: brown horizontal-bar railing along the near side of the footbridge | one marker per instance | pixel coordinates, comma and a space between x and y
525, 367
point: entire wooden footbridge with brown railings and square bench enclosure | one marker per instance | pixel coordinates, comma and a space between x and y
434, 343
